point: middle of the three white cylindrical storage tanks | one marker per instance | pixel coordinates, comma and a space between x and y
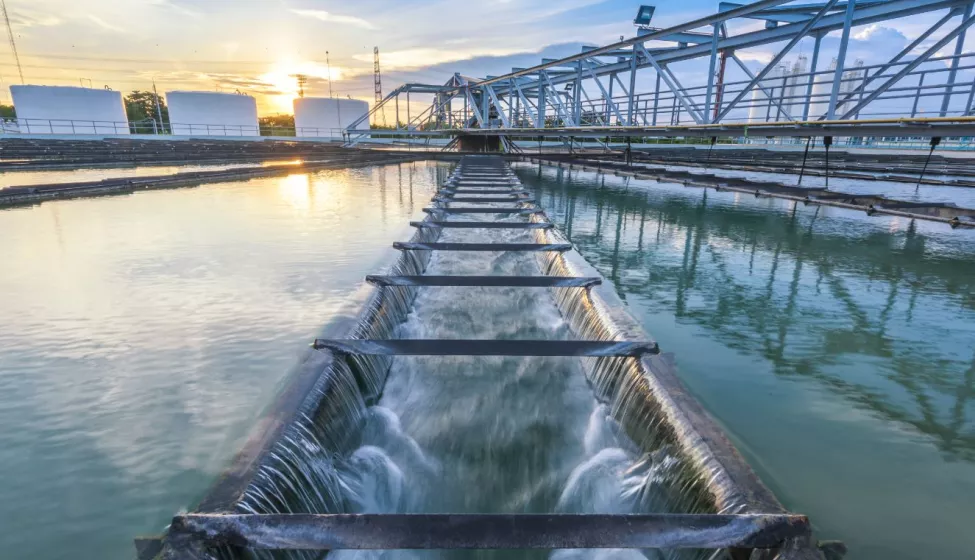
206, 113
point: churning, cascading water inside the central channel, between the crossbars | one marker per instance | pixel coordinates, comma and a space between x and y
479, 434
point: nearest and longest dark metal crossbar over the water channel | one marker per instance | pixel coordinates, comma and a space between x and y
488, 531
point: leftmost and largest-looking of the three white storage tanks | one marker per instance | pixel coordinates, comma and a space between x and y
69, 110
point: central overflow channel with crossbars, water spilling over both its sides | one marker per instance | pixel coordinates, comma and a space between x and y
487, 318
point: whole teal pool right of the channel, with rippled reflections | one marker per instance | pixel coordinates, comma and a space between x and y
837, 349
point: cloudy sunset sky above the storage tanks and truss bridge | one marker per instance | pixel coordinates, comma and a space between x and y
256, 46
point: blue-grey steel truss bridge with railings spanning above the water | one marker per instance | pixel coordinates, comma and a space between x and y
633, 88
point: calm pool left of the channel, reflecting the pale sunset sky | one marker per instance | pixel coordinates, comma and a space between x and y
142, 334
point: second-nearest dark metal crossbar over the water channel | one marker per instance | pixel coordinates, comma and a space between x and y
460, 347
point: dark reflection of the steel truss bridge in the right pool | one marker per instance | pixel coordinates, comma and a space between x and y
756, 270
